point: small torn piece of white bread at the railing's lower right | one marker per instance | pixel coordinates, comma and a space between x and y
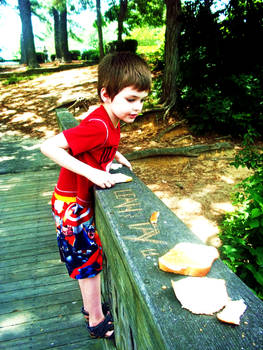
232, 312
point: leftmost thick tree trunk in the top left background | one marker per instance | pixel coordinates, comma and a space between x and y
27, 32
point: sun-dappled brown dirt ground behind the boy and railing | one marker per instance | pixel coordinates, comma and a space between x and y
196, 189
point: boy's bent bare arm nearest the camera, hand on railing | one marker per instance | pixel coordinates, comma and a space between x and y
56, 149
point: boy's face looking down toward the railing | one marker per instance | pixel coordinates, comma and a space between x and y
126, 105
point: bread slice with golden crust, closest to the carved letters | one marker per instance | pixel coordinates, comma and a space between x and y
189, 259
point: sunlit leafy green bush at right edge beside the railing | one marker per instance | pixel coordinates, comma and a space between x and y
242, 231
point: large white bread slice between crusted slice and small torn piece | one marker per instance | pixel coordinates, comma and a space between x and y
201, 295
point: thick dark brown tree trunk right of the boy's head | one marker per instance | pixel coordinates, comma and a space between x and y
171, 55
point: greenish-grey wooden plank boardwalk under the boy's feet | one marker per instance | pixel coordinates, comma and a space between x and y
39, 303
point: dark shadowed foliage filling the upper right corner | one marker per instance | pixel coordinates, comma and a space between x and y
221, 80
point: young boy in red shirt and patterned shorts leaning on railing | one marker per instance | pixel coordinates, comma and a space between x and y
85, 154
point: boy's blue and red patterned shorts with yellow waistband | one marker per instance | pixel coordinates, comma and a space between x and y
78, 241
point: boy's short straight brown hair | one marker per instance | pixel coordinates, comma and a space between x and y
122, 69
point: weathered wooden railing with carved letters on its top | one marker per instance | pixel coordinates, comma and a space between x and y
147, 314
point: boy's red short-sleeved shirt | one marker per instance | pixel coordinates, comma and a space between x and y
95, 142
